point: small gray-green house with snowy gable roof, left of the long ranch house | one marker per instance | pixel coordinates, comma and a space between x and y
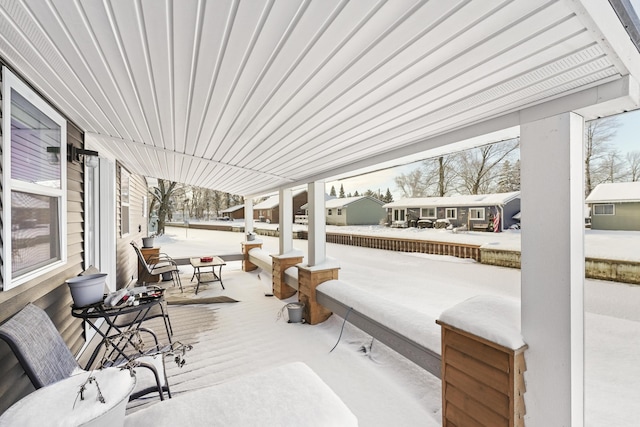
359, 210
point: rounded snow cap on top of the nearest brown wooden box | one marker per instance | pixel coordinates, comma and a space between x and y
496, 319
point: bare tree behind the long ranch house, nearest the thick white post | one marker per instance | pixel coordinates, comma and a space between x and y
477, 167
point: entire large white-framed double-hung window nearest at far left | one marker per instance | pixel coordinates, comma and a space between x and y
34, 184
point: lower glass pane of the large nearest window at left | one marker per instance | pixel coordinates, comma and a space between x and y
34, 232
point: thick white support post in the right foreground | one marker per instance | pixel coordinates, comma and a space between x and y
552, 191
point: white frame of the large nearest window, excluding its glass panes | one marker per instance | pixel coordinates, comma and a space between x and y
12, 83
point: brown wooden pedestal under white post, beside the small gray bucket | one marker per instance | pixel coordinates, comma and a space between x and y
308, 280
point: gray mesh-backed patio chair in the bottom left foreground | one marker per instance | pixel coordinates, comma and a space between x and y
46, 359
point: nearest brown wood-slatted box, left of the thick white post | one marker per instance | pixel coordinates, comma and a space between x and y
482, 382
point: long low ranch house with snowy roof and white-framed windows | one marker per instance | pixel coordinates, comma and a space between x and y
475, 211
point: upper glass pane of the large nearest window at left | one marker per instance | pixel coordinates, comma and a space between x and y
35, 143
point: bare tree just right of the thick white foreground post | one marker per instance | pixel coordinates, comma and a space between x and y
597, 138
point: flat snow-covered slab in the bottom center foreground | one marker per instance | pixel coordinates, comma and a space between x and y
289, 395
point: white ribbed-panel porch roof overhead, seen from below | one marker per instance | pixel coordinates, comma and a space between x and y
251, 97
